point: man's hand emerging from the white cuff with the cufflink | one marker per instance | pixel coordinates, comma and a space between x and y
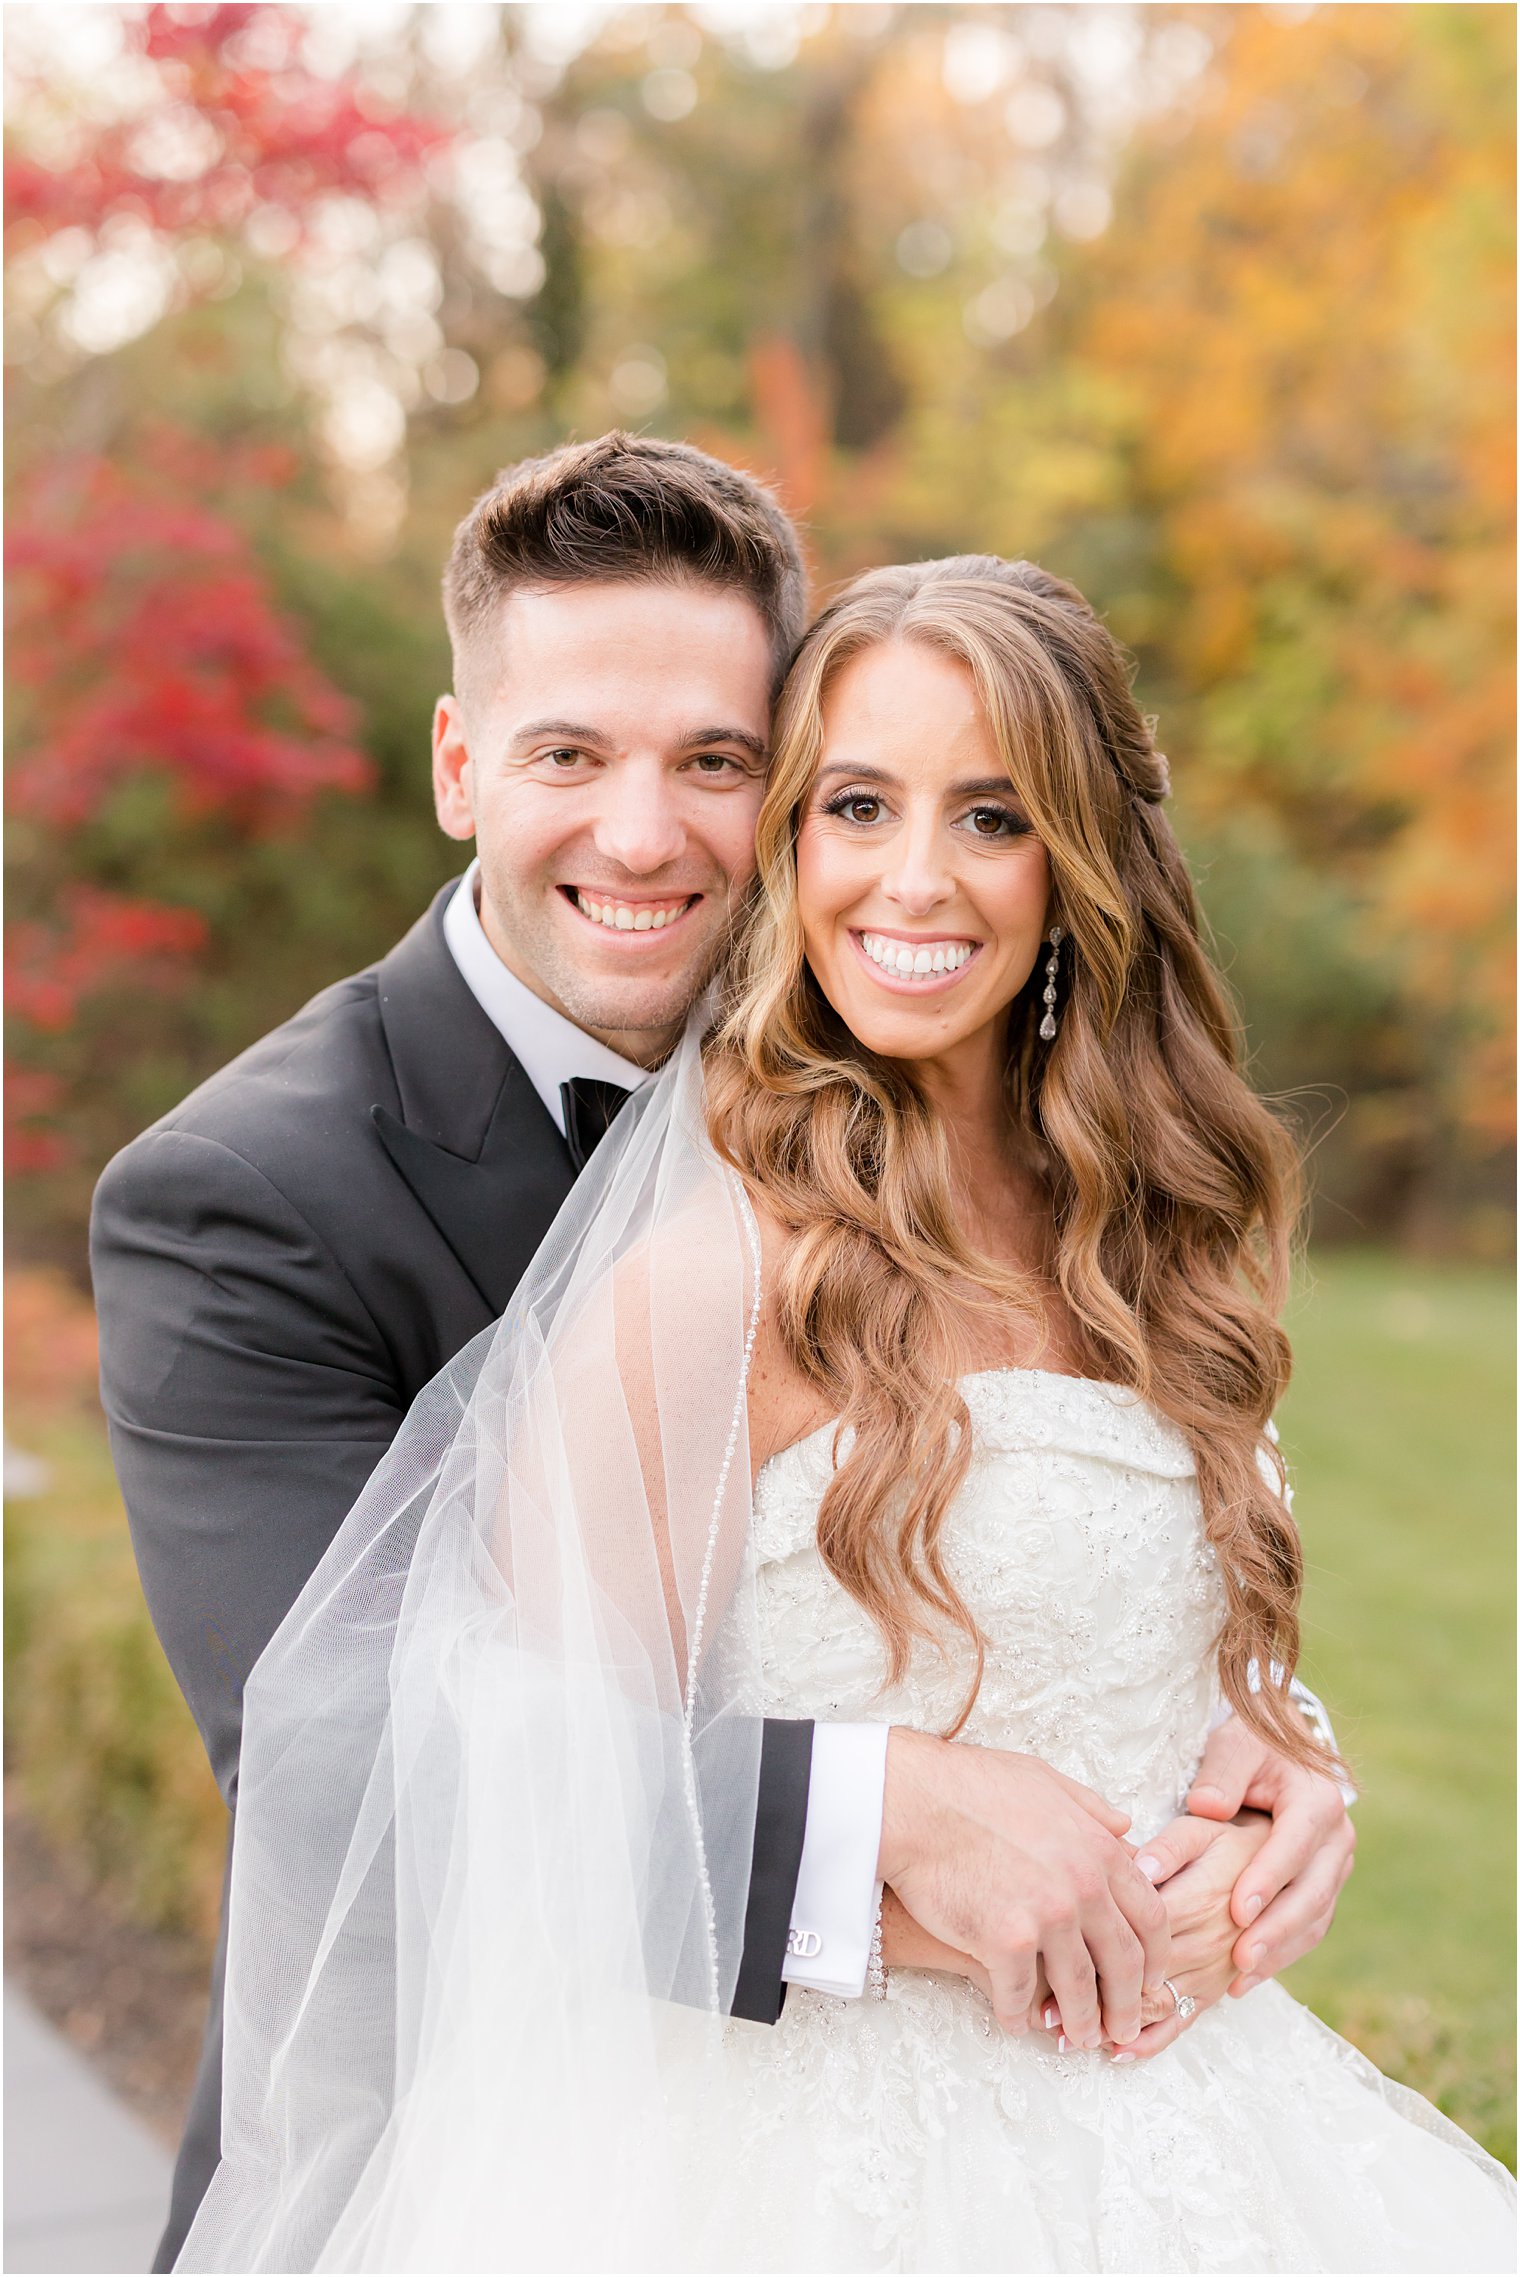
1016, 1866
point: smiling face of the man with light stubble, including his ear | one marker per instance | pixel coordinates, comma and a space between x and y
611, 771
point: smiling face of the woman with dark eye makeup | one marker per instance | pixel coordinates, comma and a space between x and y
920, 882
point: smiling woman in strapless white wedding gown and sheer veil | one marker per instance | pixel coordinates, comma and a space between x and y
907, 1354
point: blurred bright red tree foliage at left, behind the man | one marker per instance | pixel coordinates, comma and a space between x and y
147, 643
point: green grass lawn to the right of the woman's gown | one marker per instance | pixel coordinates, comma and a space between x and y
1401, 1438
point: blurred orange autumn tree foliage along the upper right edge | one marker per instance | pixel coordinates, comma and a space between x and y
1307, 313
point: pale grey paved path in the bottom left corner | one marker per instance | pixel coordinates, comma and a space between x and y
85, 2183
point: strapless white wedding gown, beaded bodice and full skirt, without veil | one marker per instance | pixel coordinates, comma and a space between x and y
911, 2135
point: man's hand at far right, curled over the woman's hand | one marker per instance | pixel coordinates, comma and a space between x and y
1287, 1898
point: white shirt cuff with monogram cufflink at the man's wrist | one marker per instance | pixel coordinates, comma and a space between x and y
834, 1912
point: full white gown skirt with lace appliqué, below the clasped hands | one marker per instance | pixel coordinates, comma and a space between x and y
916, 2137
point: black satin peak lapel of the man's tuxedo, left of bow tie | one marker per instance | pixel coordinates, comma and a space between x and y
474, 1142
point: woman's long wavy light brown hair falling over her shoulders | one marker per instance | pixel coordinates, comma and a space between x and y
1173, 1190
